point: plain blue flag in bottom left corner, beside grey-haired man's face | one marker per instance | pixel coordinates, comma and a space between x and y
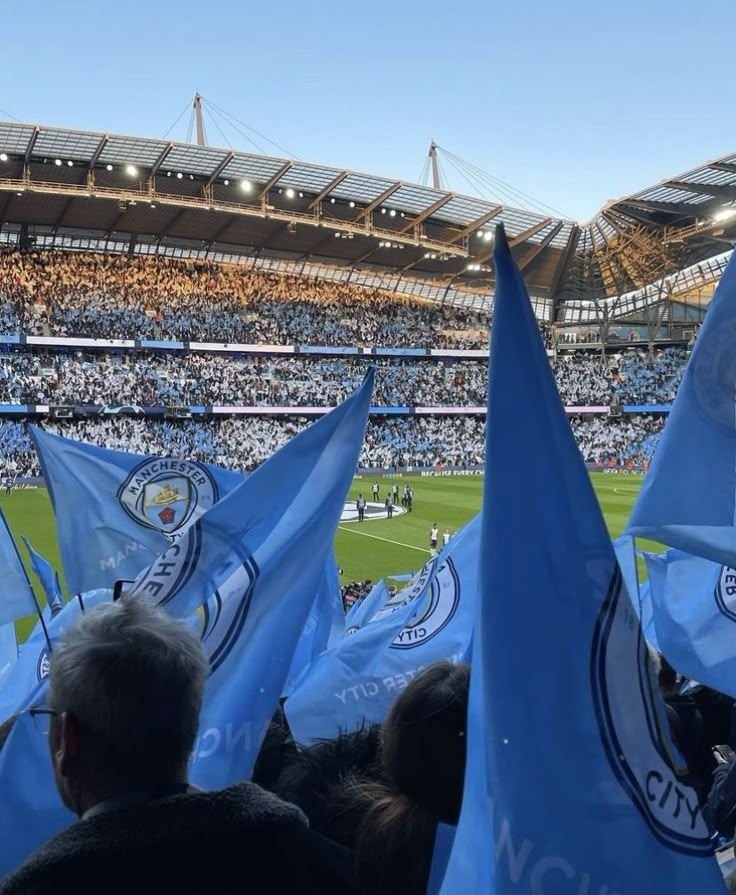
31, 811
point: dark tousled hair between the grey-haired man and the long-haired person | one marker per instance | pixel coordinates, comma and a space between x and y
321, 781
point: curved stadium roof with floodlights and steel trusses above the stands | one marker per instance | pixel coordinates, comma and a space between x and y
157, 194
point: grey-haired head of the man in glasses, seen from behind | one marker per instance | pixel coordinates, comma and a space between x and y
125, 687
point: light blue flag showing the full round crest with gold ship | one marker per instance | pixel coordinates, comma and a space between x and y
116, 512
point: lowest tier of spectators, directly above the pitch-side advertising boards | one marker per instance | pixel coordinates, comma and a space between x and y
243, 443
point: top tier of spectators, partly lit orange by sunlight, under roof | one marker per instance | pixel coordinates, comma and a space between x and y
121, 296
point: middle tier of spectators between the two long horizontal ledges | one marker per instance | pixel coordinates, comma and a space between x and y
169, 378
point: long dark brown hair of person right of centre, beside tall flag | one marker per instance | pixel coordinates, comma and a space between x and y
423, 763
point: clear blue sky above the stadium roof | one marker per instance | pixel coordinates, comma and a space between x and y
571, 102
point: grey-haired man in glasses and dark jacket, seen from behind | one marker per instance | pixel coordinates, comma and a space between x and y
125, 691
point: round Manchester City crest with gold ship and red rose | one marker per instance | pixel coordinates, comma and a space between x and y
167, 494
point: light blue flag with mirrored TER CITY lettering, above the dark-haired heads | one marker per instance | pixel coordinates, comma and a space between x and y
357, 681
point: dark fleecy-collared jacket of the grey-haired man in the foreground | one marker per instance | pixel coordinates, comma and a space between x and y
240, 839
